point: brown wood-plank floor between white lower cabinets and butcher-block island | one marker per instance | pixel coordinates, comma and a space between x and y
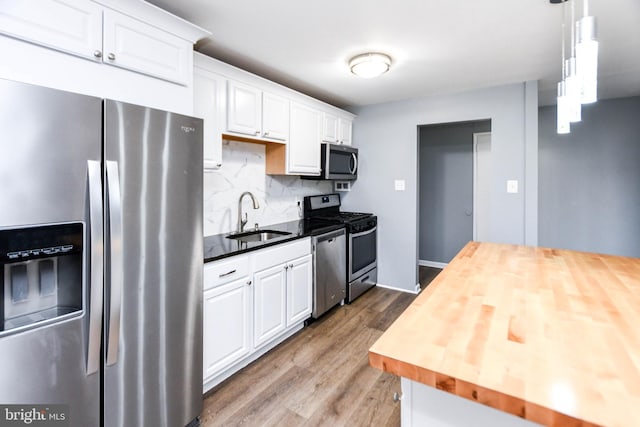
320, 376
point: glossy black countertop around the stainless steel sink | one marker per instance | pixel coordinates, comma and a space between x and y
218, 246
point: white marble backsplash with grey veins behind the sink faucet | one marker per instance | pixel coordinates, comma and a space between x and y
243, 169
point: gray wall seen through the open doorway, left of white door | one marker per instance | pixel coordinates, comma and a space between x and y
446, 188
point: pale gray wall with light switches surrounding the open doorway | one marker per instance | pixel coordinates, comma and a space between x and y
387, 135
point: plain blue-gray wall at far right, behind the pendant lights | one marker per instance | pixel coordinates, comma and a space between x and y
589, 180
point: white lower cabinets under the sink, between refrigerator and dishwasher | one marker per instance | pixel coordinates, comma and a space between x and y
252, 302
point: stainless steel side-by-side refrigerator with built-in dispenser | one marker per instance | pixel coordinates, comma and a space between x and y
100, 258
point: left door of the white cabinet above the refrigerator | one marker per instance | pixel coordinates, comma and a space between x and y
72, 26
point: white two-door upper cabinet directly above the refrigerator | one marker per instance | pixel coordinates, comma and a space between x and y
89, 30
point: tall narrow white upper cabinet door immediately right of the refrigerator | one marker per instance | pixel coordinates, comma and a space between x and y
209, 98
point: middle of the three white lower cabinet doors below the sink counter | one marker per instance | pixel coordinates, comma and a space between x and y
269, 304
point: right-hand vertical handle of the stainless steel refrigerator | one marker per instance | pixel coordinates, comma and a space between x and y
115, 258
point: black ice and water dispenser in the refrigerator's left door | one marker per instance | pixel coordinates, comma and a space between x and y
41, 275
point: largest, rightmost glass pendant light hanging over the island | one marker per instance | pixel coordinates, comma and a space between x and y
587, 56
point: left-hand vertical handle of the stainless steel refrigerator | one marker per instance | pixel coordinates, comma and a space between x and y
96, 238
